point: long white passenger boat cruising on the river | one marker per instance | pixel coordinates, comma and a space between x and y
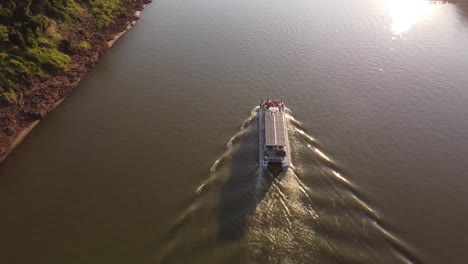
273, 134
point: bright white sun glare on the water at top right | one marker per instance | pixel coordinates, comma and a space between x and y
406, 13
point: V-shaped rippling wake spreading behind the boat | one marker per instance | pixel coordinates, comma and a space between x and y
310, 213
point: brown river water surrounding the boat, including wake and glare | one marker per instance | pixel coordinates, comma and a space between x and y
153, 159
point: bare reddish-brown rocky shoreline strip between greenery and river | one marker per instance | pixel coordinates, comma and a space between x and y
19, 119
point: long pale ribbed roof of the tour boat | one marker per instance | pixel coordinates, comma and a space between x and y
274, 128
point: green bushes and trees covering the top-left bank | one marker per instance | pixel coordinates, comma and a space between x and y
30, 40
